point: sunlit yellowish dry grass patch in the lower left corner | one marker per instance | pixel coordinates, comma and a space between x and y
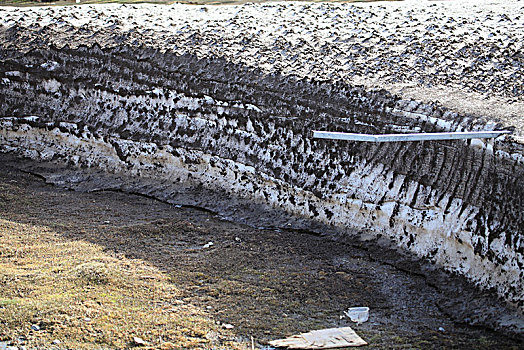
87, 299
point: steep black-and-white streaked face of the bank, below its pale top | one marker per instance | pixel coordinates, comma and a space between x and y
213, 132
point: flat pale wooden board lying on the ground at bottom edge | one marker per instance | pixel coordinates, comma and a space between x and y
330, 338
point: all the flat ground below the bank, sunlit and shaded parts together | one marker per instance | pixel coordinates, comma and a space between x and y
133, 266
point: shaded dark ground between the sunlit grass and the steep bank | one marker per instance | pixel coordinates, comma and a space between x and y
267, 283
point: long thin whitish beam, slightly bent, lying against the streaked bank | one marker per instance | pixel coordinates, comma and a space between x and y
430, 136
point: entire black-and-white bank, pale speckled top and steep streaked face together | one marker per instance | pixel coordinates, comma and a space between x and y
197, 106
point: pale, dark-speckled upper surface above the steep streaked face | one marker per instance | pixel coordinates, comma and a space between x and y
465, 54
